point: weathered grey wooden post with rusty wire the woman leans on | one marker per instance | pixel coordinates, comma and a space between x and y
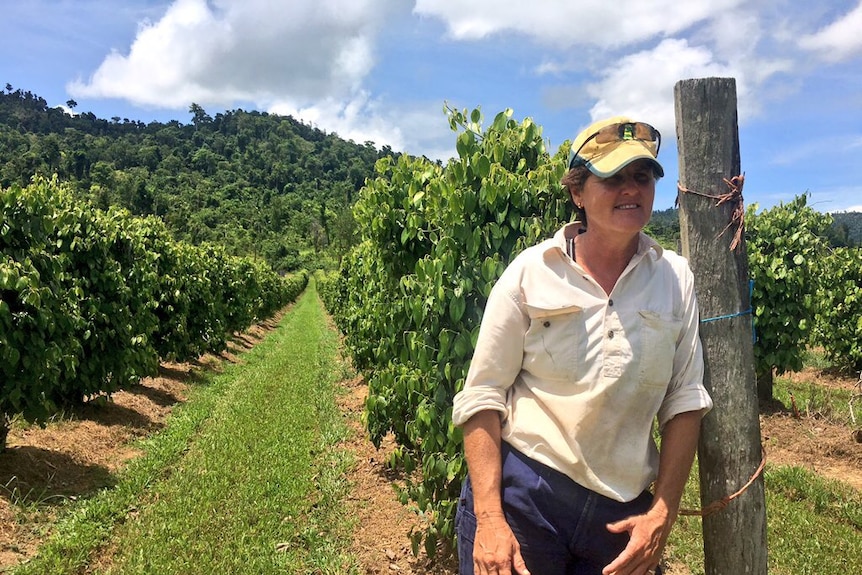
729, 453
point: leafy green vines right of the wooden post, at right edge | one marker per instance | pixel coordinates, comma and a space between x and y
805, 294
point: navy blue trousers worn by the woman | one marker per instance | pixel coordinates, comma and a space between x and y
560, 525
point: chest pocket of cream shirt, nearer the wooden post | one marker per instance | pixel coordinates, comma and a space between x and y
659, 334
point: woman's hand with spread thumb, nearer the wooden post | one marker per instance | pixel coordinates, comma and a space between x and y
648, 535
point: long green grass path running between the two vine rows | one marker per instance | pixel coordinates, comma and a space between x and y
244, 479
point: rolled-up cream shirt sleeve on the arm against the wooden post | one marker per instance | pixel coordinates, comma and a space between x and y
686, 391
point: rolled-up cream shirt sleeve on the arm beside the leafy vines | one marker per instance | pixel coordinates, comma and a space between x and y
498, 356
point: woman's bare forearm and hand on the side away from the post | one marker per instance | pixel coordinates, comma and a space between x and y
495, 549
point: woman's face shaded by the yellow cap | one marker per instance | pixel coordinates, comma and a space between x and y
621, 203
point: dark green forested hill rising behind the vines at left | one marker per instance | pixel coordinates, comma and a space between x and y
254, 182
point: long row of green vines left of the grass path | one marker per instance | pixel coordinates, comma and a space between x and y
92, 299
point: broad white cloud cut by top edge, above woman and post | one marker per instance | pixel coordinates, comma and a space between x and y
597, 22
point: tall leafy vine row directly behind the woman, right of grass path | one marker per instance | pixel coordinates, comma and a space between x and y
410, 295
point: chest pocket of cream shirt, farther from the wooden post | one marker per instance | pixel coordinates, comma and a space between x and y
552, 340
